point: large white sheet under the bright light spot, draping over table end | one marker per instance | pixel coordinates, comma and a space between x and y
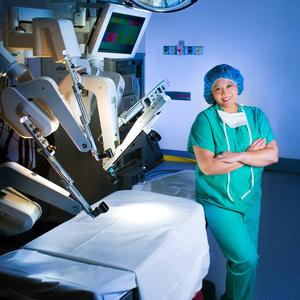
162, 239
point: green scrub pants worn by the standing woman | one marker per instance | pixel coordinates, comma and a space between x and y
237, 235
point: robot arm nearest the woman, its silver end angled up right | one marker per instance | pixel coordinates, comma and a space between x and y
107, 87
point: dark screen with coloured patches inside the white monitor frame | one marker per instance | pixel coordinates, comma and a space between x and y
121, 33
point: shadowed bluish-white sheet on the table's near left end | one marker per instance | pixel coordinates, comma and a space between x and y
58, 273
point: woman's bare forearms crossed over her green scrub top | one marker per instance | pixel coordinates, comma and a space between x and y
259, 154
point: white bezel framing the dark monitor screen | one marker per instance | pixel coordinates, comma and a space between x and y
107, 9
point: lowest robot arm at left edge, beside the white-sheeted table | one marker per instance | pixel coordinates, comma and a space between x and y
18, 213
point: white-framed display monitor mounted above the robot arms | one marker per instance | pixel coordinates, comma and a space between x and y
118, 31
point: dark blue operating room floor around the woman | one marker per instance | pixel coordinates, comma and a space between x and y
278, 274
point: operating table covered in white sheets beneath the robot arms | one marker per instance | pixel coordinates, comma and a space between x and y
151, 241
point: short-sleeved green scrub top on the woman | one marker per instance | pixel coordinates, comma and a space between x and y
208, 132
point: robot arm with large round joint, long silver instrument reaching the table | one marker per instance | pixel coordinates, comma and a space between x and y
29, 108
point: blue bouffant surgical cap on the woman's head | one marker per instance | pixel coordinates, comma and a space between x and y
221, 71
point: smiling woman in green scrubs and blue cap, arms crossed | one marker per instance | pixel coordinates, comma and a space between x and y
232, 143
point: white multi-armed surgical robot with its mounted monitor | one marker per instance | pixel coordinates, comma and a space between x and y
34, 108
